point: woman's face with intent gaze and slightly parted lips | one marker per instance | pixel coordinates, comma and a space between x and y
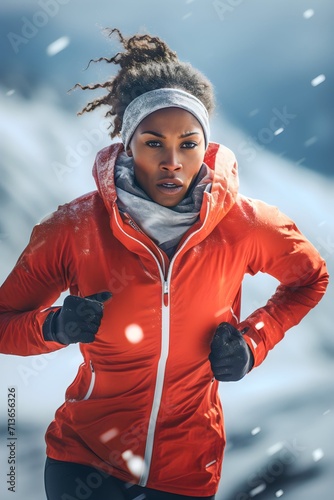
168, 149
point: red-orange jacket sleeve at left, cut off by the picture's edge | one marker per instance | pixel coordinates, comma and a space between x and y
38, 278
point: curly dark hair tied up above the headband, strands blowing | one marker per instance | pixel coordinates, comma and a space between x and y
147, 63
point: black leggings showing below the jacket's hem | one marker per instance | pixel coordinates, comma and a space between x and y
71, 481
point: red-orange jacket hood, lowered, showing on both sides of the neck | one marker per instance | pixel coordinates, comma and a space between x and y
219, 201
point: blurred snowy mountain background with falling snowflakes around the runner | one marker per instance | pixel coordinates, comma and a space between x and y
272, 67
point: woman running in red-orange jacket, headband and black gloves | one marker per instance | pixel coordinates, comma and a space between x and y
154, 261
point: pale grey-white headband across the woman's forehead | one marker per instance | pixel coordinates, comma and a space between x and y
147, 103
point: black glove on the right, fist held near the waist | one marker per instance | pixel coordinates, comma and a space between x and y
230, 356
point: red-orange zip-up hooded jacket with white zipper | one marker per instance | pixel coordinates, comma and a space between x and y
144, 406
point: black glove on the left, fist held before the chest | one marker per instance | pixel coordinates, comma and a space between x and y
78, 320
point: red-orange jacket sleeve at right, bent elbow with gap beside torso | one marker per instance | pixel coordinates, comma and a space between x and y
278, 248
